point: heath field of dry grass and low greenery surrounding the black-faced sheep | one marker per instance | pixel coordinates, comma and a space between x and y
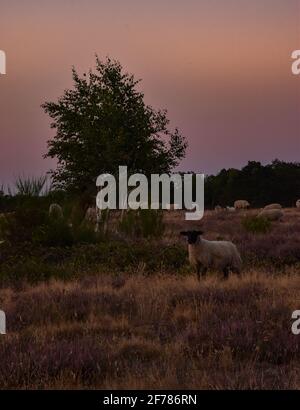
131, 314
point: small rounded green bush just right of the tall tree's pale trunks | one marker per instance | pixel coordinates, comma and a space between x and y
145, 223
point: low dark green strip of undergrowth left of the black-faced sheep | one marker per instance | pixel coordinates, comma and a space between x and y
35, 262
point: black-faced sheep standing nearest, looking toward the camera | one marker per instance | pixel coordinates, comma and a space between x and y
219, 255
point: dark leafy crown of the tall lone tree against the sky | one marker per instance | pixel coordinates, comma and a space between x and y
103, 122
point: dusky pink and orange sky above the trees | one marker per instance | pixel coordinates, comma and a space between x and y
222, 68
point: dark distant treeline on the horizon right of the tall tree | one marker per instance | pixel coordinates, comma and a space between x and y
257, 183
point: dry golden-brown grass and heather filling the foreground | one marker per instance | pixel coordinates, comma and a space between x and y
155, 332
